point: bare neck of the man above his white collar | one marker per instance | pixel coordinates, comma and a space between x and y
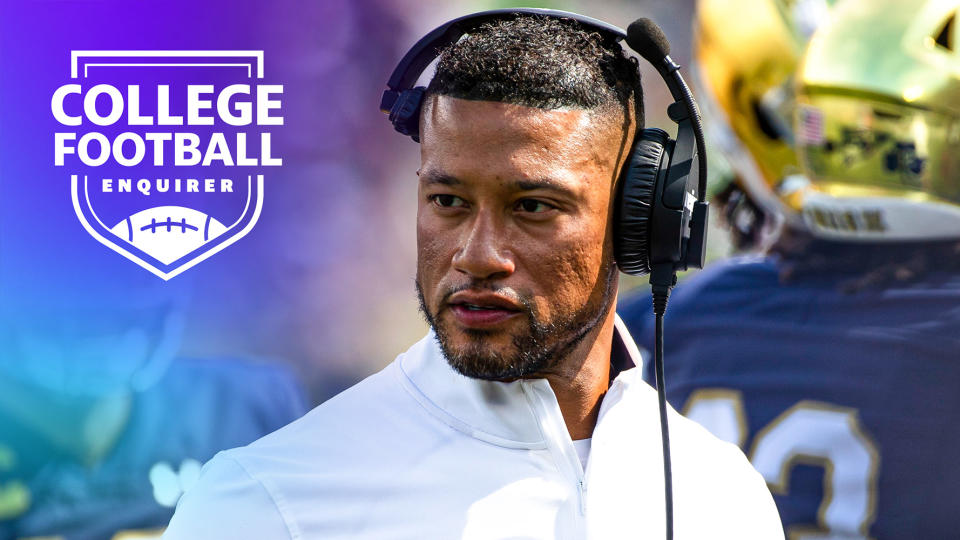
583, 379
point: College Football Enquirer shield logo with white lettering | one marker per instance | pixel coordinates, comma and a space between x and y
170, 148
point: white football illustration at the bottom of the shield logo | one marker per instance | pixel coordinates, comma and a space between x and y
167, 233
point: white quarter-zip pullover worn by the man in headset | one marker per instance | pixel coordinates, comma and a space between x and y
418, 451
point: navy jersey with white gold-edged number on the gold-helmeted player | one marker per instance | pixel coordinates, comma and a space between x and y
847, 402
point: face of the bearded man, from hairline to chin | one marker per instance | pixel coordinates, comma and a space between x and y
515, 262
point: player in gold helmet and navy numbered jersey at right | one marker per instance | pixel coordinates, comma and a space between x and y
833, 359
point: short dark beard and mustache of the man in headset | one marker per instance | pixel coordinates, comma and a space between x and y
537, 350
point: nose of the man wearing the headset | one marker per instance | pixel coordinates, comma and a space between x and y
483, 253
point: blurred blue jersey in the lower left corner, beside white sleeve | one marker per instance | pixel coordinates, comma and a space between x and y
198, 408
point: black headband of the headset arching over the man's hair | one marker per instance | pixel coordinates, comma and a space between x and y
654, 49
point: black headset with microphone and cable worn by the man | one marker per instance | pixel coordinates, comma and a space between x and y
660, 213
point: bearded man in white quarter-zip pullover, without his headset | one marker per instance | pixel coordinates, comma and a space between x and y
518, 416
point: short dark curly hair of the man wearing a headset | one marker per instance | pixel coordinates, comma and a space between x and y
541, 62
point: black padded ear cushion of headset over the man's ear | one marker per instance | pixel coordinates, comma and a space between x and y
635, 202
